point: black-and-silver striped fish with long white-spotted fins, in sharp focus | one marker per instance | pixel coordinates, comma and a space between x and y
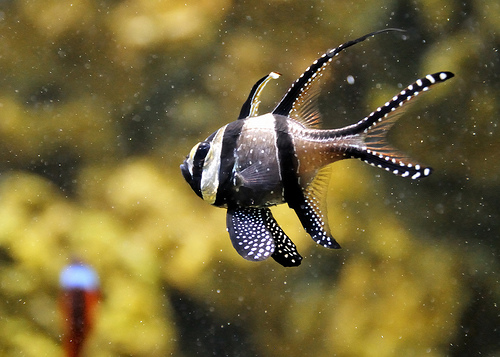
259, 161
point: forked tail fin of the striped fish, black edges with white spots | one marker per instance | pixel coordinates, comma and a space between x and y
372, 130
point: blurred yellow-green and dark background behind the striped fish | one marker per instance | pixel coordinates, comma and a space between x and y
100, 101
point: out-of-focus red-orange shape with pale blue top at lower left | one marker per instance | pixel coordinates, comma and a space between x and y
79, 296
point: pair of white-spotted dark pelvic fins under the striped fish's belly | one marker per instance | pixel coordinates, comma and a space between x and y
256, 236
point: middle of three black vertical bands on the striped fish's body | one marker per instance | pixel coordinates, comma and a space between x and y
229, 141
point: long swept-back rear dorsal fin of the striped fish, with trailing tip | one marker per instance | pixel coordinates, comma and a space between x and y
300, 102
